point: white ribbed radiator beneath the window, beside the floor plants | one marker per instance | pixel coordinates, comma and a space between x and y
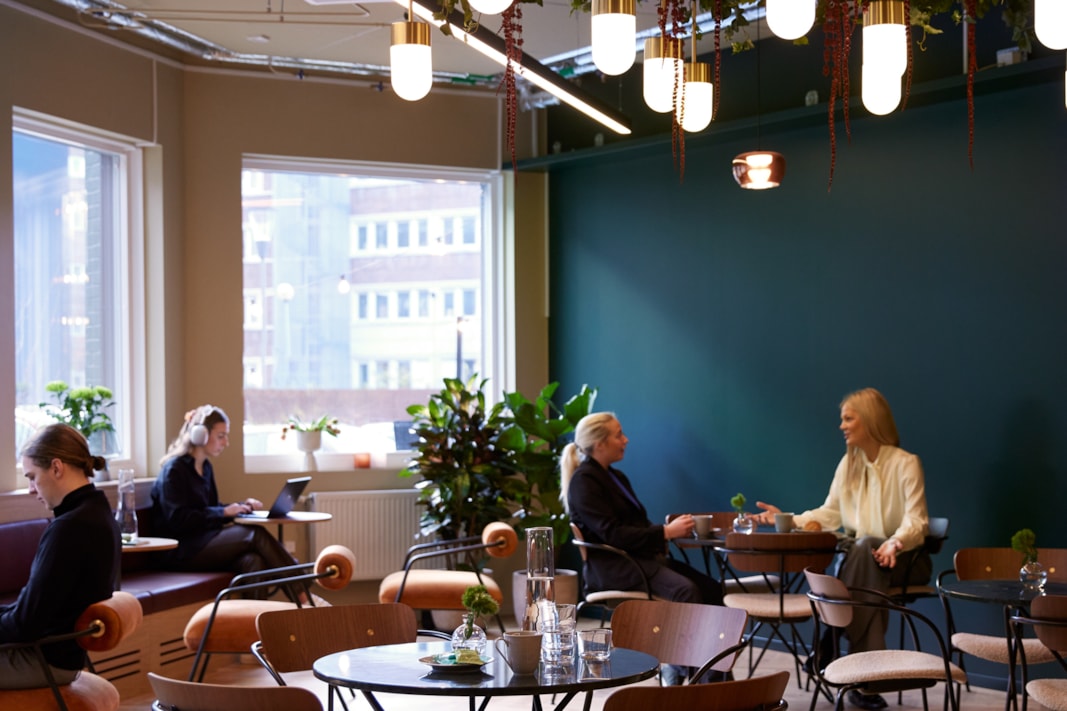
378, 526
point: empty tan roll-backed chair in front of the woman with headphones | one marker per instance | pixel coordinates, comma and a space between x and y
229, 626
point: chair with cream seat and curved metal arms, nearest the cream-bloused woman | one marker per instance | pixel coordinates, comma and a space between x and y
881, 671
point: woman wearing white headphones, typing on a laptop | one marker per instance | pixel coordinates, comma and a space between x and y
186, 505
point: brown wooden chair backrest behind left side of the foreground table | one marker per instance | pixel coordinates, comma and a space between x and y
292, 640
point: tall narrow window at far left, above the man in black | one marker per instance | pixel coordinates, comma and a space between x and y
76, 295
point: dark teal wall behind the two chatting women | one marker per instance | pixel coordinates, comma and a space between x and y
725, 326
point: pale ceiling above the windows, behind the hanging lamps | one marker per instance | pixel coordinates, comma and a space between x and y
338, 37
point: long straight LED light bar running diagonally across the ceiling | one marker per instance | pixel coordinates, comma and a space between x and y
531, 70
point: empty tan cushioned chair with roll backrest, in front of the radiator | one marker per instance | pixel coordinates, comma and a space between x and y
443, 590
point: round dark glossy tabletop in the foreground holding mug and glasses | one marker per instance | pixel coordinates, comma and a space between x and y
397, 670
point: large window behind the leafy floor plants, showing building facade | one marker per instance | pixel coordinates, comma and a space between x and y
367, 353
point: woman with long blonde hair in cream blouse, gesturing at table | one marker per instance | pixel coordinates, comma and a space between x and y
879, 498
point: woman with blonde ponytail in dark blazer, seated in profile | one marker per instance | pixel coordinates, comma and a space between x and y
601, 502
